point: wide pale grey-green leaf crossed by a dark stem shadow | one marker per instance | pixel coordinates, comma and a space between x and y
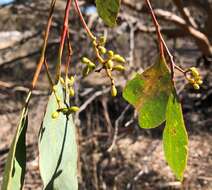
58, 148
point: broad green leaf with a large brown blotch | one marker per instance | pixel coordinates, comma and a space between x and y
148, 93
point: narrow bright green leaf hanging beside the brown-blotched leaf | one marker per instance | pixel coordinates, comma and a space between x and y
175, 138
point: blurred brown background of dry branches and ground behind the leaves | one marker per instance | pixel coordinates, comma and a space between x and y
115, 154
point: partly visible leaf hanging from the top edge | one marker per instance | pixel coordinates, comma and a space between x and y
108, 10
